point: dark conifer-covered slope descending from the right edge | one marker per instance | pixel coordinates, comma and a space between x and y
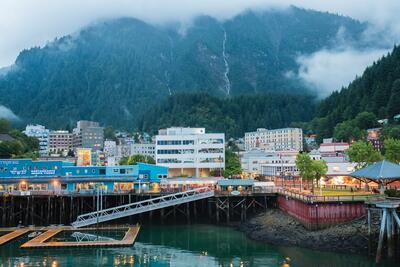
377, 91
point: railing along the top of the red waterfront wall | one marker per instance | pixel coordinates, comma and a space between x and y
339, 198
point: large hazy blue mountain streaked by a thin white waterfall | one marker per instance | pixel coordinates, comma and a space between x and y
115, 71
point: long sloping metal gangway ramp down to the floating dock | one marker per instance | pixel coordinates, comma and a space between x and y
142, 206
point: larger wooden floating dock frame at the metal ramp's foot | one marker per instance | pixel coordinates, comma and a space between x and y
40, 241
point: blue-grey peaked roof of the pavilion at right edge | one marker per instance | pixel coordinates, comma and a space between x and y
381, 170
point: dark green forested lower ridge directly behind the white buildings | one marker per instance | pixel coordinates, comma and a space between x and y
233, 116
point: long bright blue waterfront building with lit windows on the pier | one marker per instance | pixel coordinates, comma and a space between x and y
29, 175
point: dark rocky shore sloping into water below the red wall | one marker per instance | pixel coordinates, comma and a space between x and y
278, 228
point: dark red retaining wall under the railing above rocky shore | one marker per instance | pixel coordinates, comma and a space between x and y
322, 214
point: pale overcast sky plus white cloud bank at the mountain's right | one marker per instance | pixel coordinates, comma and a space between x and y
27, 23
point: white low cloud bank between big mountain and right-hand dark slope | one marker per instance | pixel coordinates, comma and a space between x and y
329, 70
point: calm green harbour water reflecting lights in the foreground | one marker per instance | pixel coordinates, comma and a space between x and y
180, 245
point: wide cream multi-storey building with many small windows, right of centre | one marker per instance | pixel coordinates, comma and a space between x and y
277, 139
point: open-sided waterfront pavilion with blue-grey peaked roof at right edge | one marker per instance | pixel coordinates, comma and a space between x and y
382, 172
